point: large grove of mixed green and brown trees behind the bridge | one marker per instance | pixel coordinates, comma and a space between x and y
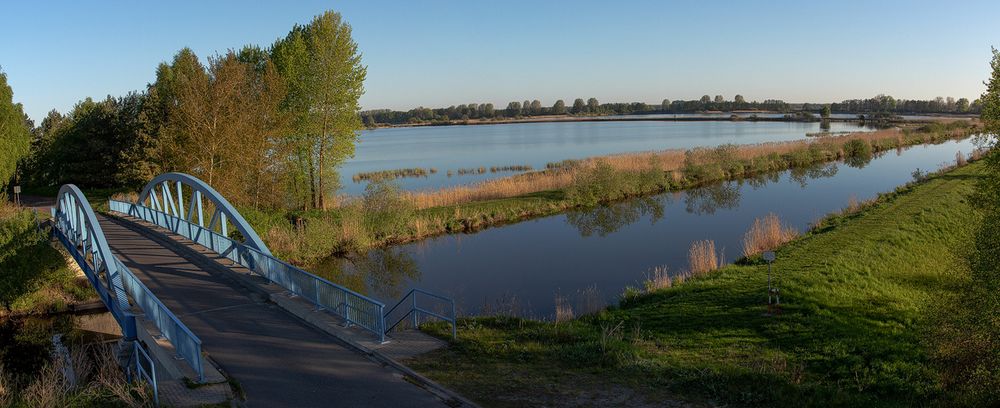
267, 127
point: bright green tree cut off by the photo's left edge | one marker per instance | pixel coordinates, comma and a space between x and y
15, 137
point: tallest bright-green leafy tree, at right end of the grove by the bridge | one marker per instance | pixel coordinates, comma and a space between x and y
324, 77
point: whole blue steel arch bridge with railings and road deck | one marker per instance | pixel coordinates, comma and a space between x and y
201, 299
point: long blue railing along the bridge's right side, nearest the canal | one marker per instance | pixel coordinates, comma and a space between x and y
349, 305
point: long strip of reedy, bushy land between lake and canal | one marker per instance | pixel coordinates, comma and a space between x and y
388, 216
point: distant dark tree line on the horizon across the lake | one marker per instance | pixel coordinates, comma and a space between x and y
881, 104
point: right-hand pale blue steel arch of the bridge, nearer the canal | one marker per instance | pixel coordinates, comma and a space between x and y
166, 194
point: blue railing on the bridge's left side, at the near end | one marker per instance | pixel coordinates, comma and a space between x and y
186, 343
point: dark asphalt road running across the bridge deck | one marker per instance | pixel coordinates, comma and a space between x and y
278, 360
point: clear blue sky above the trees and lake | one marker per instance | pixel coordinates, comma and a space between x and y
439, 53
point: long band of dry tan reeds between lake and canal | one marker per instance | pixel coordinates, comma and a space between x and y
698, 164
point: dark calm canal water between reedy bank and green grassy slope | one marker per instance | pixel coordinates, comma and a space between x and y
590, 256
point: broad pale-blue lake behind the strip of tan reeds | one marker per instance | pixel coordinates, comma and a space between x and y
452, 148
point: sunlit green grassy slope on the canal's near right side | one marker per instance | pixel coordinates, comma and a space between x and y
856, 294
